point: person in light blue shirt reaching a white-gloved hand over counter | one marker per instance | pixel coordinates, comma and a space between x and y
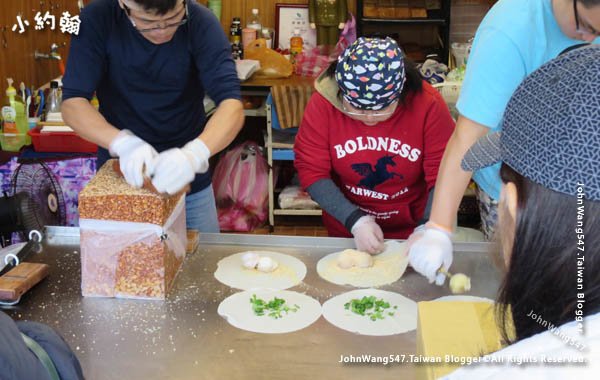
514, 39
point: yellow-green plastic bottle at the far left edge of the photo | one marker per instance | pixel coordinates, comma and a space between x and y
14, 119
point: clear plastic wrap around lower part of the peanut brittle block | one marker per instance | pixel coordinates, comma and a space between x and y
132, 260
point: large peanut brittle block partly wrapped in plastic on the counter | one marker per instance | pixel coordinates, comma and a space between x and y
133, 241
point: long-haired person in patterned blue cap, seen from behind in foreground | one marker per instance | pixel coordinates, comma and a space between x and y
549, 221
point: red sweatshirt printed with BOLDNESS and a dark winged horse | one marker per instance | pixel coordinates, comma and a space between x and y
387, 169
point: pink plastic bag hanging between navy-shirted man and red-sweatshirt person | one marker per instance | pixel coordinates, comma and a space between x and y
241, 192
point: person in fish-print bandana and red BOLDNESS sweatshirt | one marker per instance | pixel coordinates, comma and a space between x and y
370, 144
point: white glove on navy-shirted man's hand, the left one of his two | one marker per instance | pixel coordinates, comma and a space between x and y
136, 157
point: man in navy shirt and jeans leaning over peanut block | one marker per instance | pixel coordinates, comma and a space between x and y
151, 62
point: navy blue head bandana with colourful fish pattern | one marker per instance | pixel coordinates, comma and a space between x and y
370, 73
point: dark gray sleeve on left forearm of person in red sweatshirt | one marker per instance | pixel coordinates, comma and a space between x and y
326, 193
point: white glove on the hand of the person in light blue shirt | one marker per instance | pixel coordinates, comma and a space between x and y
430, 250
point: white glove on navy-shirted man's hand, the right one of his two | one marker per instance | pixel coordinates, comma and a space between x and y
175, 168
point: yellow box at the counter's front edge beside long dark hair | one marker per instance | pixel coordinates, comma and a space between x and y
454, 332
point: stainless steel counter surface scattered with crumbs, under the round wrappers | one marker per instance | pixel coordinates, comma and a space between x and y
184, 337
